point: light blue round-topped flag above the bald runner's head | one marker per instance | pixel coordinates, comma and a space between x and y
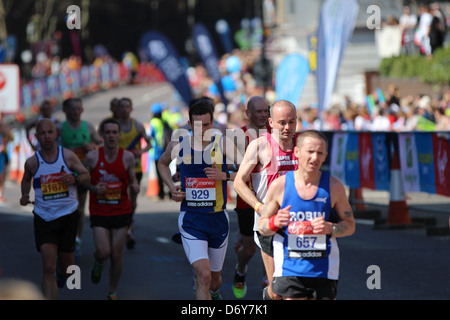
290, 78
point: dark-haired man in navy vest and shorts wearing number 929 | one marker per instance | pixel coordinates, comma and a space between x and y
204, 225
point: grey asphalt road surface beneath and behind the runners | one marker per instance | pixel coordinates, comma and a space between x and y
377, 263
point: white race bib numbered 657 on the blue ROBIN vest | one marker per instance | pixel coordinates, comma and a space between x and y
303, 243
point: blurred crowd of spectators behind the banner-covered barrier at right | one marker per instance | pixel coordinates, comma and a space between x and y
390, 113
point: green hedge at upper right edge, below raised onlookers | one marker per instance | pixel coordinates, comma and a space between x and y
433, 71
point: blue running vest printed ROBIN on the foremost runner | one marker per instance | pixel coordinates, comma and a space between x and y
299, 252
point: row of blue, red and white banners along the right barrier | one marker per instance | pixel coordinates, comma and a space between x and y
365, 160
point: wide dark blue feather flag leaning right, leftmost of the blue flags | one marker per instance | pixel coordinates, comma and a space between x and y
161, 51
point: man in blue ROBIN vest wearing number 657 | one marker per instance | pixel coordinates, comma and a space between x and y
314, 212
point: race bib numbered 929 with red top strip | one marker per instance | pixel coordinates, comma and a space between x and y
200, 192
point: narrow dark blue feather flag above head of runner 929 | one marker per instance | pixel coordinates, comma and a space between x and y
207, 52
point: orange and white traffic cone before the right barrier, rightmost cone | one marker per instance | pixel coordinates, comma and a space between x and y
398, 211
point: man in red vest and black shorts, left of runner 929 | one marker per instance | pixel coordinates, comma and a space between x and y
112, 175
